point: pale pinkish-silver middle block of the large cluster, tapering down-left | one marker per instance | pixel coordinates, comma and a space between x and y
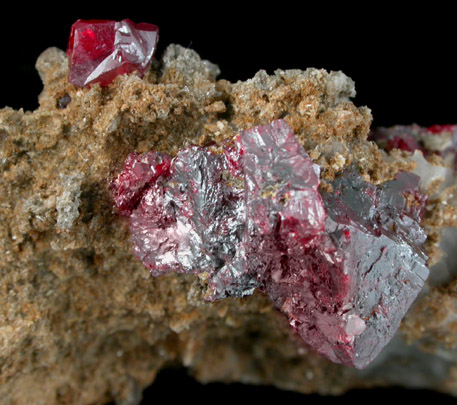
283, 209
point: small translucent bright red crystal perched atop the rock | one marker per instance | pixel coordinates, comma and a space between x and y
100, 50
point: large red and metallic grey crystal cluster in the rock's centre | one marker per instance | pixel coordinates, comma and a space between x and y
344, 266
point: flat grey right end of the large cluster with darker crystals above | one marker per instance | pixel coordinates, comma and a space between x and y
383, 255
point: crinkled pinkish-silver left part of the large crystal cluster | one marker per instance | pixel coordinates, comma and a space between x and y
192, 221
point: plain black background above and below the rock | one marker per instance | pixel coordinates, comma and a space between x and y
403, 63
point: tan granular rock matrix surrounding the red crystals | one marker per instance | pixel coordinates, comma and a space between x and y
83, 322
